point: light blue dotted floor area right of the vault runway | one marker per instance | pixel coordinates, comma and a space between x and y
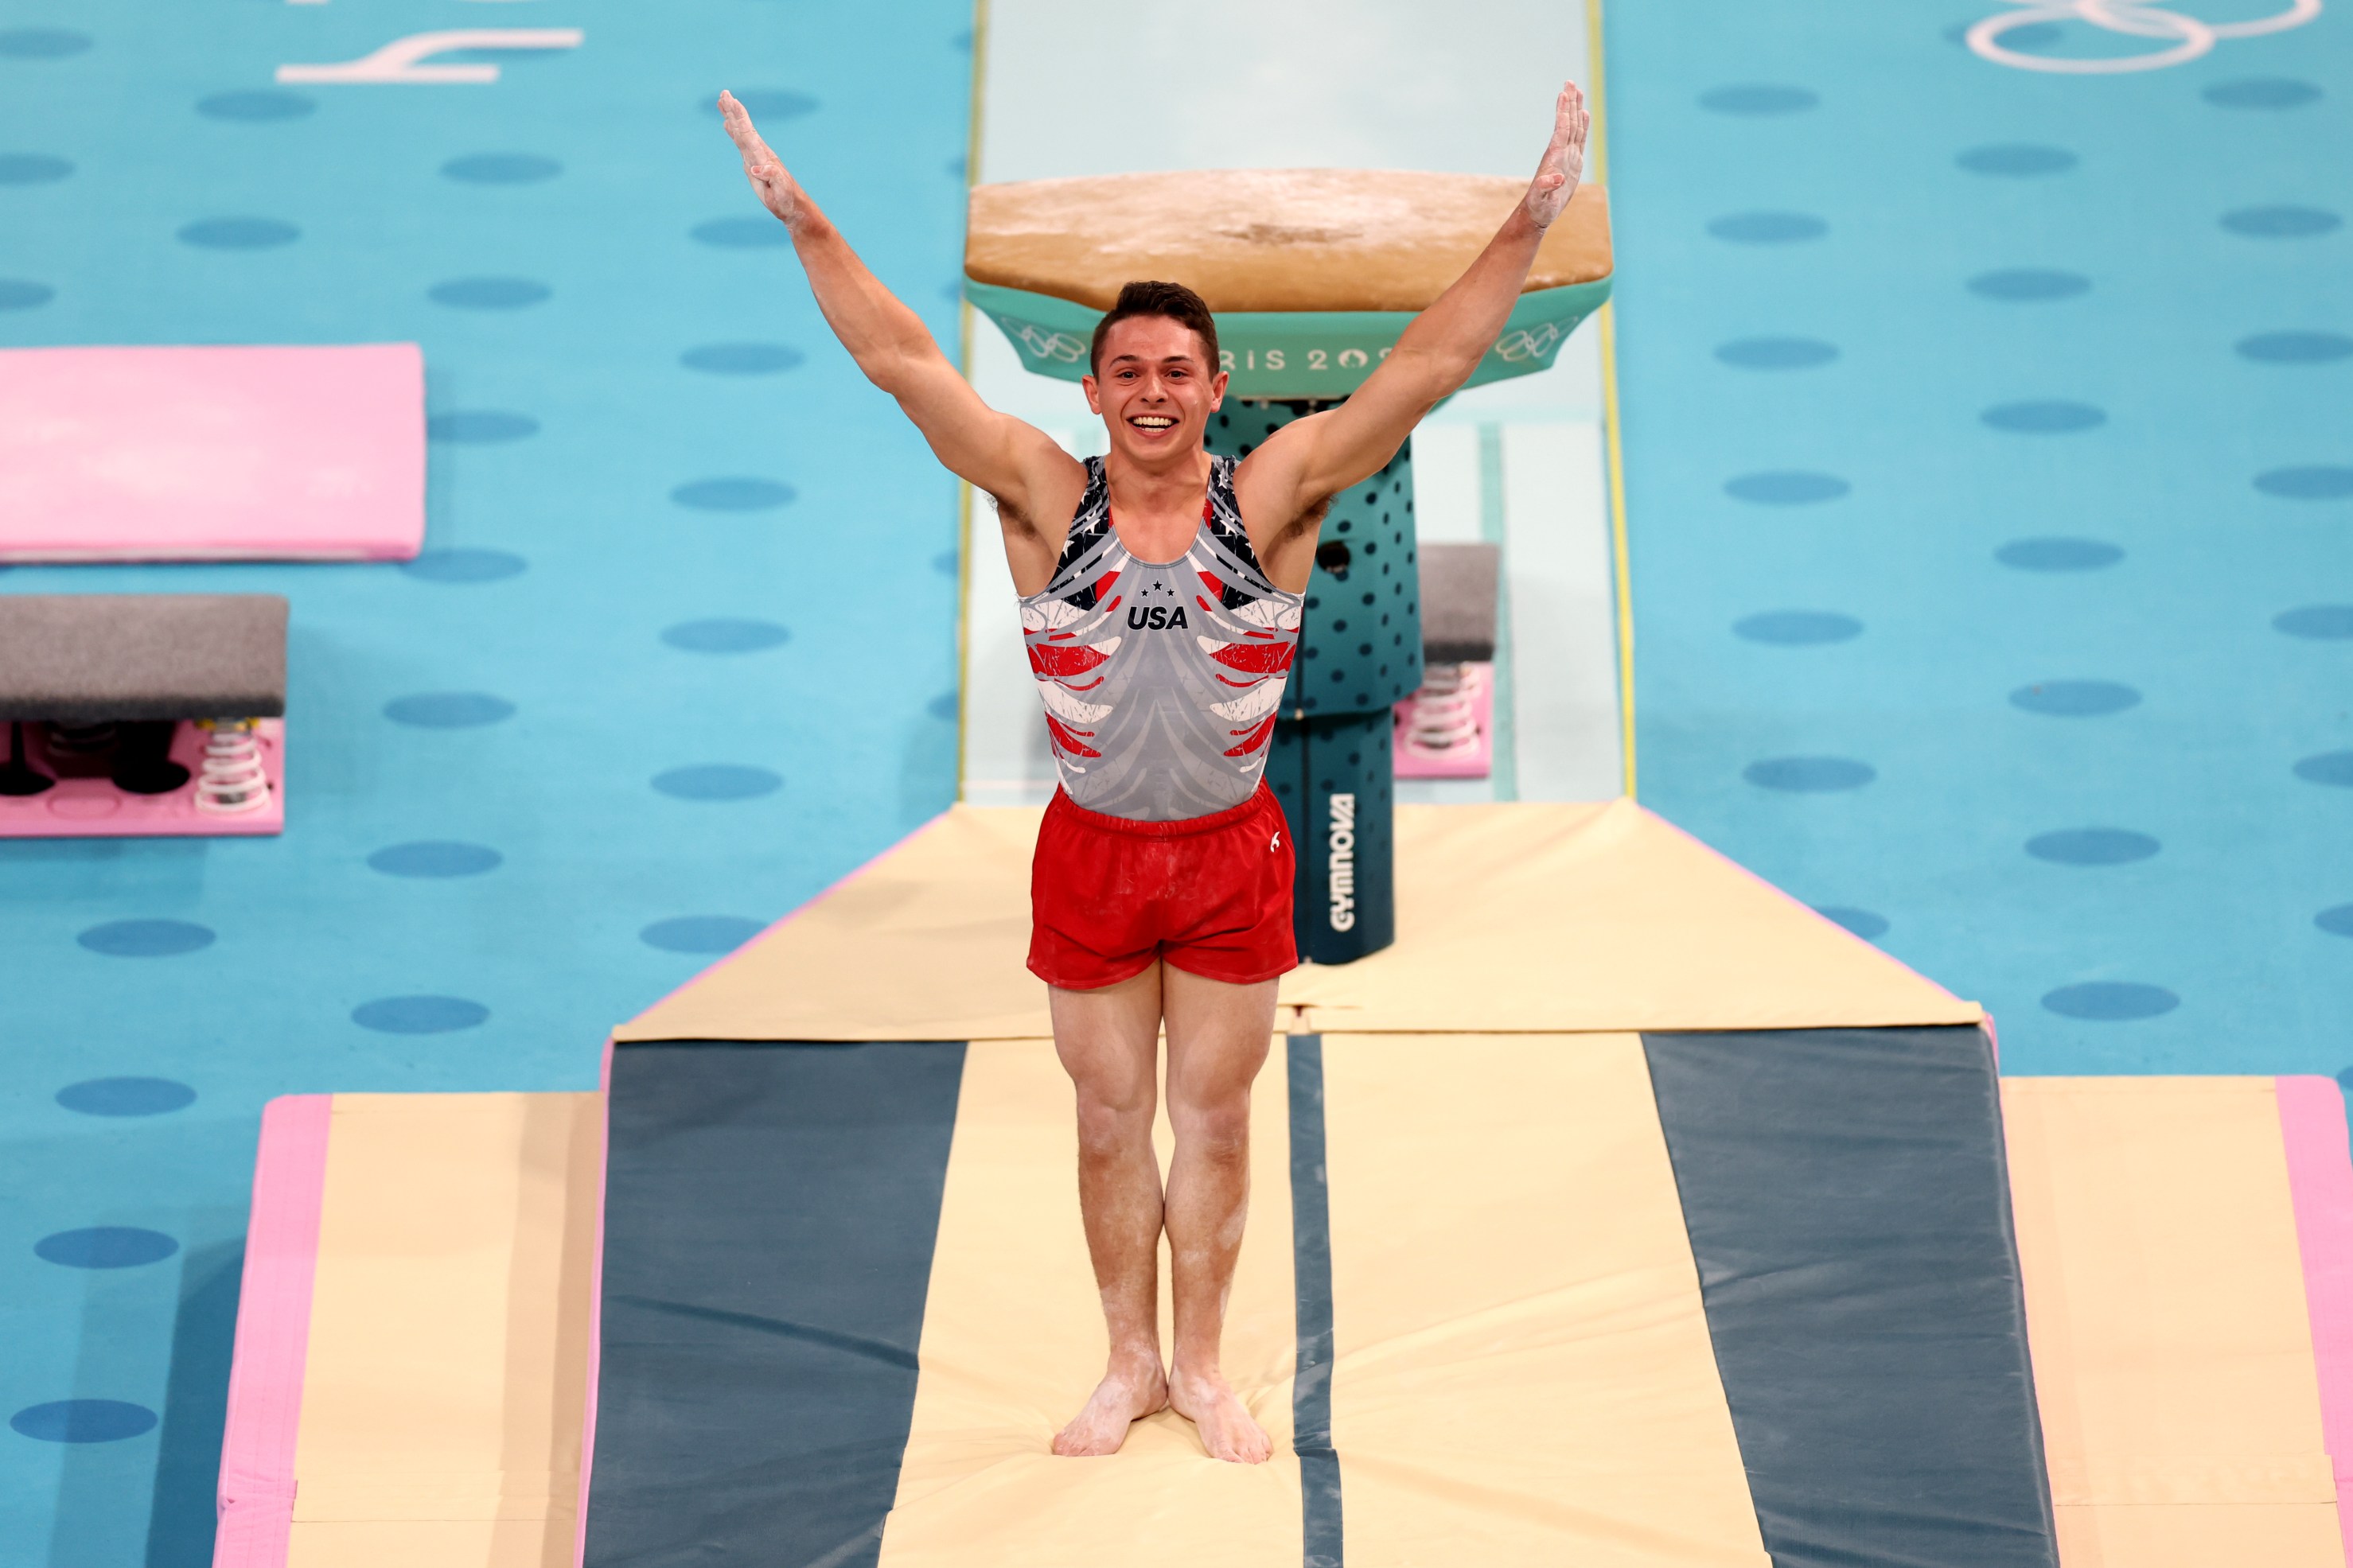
1992, 507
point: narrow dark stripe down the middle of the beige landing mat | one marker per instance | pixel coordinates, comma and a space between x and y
1312, 1271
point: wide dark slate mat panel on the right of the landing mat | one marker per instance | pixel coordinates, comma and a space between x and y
1848, 1202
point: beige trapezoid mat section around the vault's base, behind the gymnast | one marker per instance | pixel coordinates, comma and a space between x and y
1517, 918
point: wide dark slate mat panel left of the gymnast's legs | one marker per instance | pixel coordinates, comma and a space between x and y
771, 1214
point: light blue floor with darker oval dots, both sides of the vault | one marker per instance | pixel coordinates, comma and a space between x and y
2175, 264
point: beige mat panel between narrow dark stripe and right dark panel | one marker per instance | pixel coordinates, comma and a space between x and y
1524, 1369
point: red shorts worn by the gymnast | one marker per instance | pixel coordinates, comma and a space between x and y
1211, 894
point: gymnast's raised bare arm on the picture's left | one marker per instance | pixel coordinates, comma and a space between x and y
1006, 457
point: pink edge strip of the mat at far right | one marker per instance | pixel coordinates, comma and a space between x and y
2321, 1184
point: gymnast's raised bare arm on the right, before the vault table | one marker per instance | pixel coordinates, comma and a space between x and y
1302, 467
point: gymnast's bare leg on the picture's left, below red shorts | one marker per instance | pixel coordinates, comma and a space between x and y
1109, 1043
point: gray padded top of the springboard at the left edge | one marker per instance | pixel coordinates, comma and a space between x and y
88, 659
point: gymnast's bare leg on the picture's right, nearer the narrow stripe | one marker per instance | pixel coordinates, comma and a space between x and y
1218, 1043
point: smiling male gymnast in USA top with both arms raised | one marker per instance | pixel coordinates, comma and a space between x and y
1161, 596
